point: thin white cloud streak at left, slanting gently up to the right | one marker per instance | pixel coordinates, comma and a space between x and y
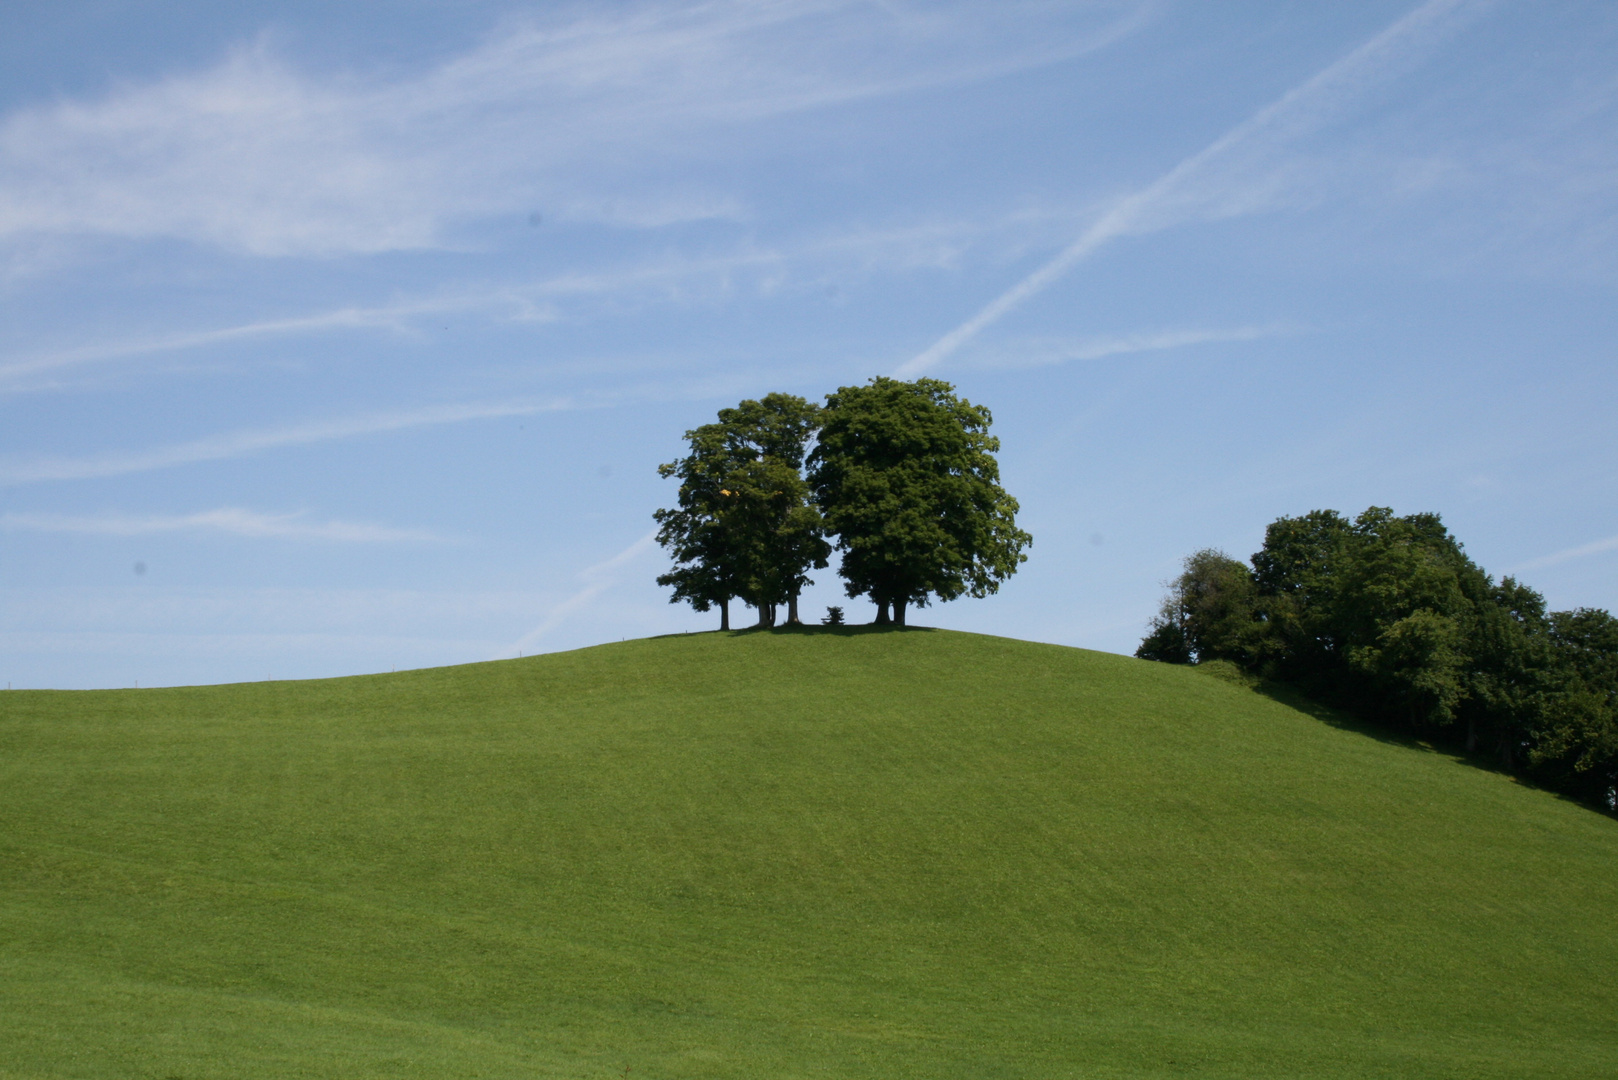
17, 472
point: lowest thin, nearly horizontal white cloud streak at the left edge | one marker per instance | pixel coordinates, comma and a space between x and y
229, 521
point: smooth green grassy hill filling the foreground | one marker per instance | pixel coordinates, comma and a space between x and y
816, 854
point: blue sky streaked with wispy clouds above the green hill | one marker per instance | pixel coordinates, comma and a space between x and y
349, 338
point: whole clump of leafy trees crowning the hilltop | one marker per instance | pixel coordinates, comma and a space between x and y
899, 477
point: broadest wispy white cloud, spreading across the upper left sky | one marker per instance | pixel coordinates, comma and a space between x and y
583, 117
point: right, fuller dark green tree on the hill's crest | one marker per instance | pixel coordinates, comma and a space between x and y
909, 483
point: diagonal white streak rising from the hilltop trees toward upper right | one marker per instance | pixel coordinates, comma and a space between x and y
1234, 174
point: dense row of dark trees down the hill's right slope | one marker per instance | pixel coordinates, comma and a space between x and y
1391, 618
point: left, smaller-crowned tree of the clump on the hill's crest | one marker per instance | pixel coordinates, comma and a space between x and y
743, 525
